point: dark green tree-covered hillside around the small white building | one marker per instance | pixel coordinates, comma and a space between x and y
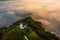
34, 31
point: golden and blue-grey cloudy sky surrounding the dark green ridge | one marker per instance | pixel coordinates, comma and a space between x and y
45, 11
